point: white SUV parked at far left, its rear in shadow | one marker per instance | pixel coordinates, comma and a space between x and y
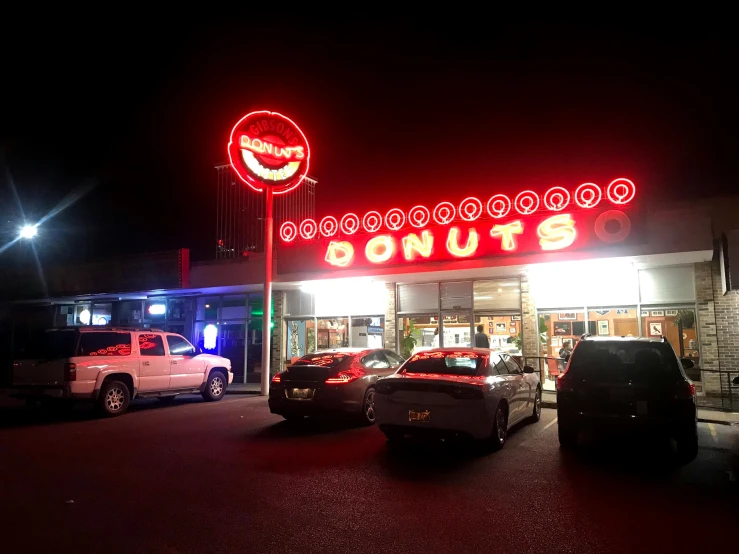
113, 365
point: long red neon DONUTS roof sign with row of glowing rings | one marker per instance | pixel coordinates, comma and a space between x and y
503, 225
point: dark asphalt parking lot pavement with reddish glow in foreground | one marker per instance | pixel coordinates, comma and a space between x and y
230, 477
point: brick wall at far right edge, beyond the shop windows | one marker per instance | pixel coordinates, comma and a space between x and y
726, 310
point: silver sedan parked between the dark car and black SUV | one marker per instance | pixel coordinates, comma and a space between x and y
445, 392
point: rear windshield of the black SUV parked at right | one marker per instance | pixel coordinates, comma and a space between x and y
639, 361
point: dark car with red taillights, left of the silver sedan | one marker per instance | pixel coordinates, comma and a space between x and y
339, 380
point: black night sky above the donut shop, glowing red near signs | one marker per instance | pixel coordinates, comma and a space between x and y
132, 119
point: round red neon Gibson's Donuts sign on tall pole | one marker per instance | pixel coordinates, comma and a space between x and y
268, 150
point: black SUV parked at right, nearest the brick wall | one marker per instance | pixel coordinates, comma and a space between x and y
627, 383
